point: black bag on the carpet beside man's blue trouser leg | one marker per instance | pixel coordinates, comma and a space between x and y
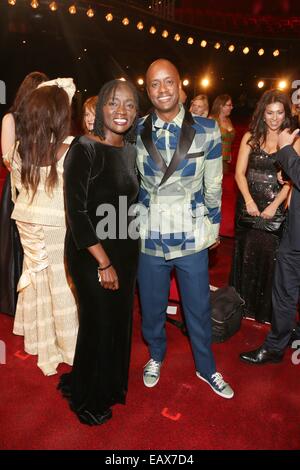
227, 312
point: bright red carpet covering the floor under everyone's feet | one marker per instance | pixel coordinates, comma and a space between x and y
181, 412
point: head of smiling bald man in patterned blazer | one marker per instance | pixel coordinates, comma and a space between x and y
163, 87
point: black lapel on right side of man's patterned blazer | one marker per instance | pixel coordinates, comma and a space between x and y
187, 135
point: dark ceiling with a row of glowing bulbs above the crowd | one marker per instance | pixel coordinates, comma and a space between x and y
55, 42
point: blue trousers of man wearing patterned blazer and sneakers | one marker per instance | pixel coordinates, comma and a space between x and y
154, 285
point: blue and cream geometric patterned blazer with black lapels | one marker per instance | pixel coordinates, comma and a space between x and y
180, 204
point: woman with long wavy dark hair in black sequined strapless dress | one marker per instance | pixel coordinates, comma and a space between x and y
260, 211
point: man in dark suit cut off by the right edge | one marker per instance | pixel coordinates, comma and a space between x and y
286, 287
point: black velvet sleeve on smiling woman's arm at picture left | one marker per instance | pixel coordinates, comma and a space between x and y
77, 171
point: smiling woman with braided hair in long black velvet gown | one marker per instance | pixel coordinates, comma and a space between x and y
100, 187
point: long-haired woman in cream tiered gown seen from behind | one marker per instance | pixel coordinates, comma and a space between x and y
46, 313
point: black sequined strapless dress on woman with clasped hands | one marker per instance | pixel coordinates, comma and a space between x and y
255, 249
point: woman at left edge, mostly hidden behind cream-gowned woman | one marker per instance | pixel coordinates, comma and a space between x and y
11, 253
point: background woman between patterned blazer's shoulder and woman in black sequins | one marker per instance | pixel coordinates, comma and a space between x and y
220, 111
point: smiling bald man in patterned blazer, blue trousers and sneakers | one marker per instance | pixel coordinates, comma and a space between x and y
180, 166
